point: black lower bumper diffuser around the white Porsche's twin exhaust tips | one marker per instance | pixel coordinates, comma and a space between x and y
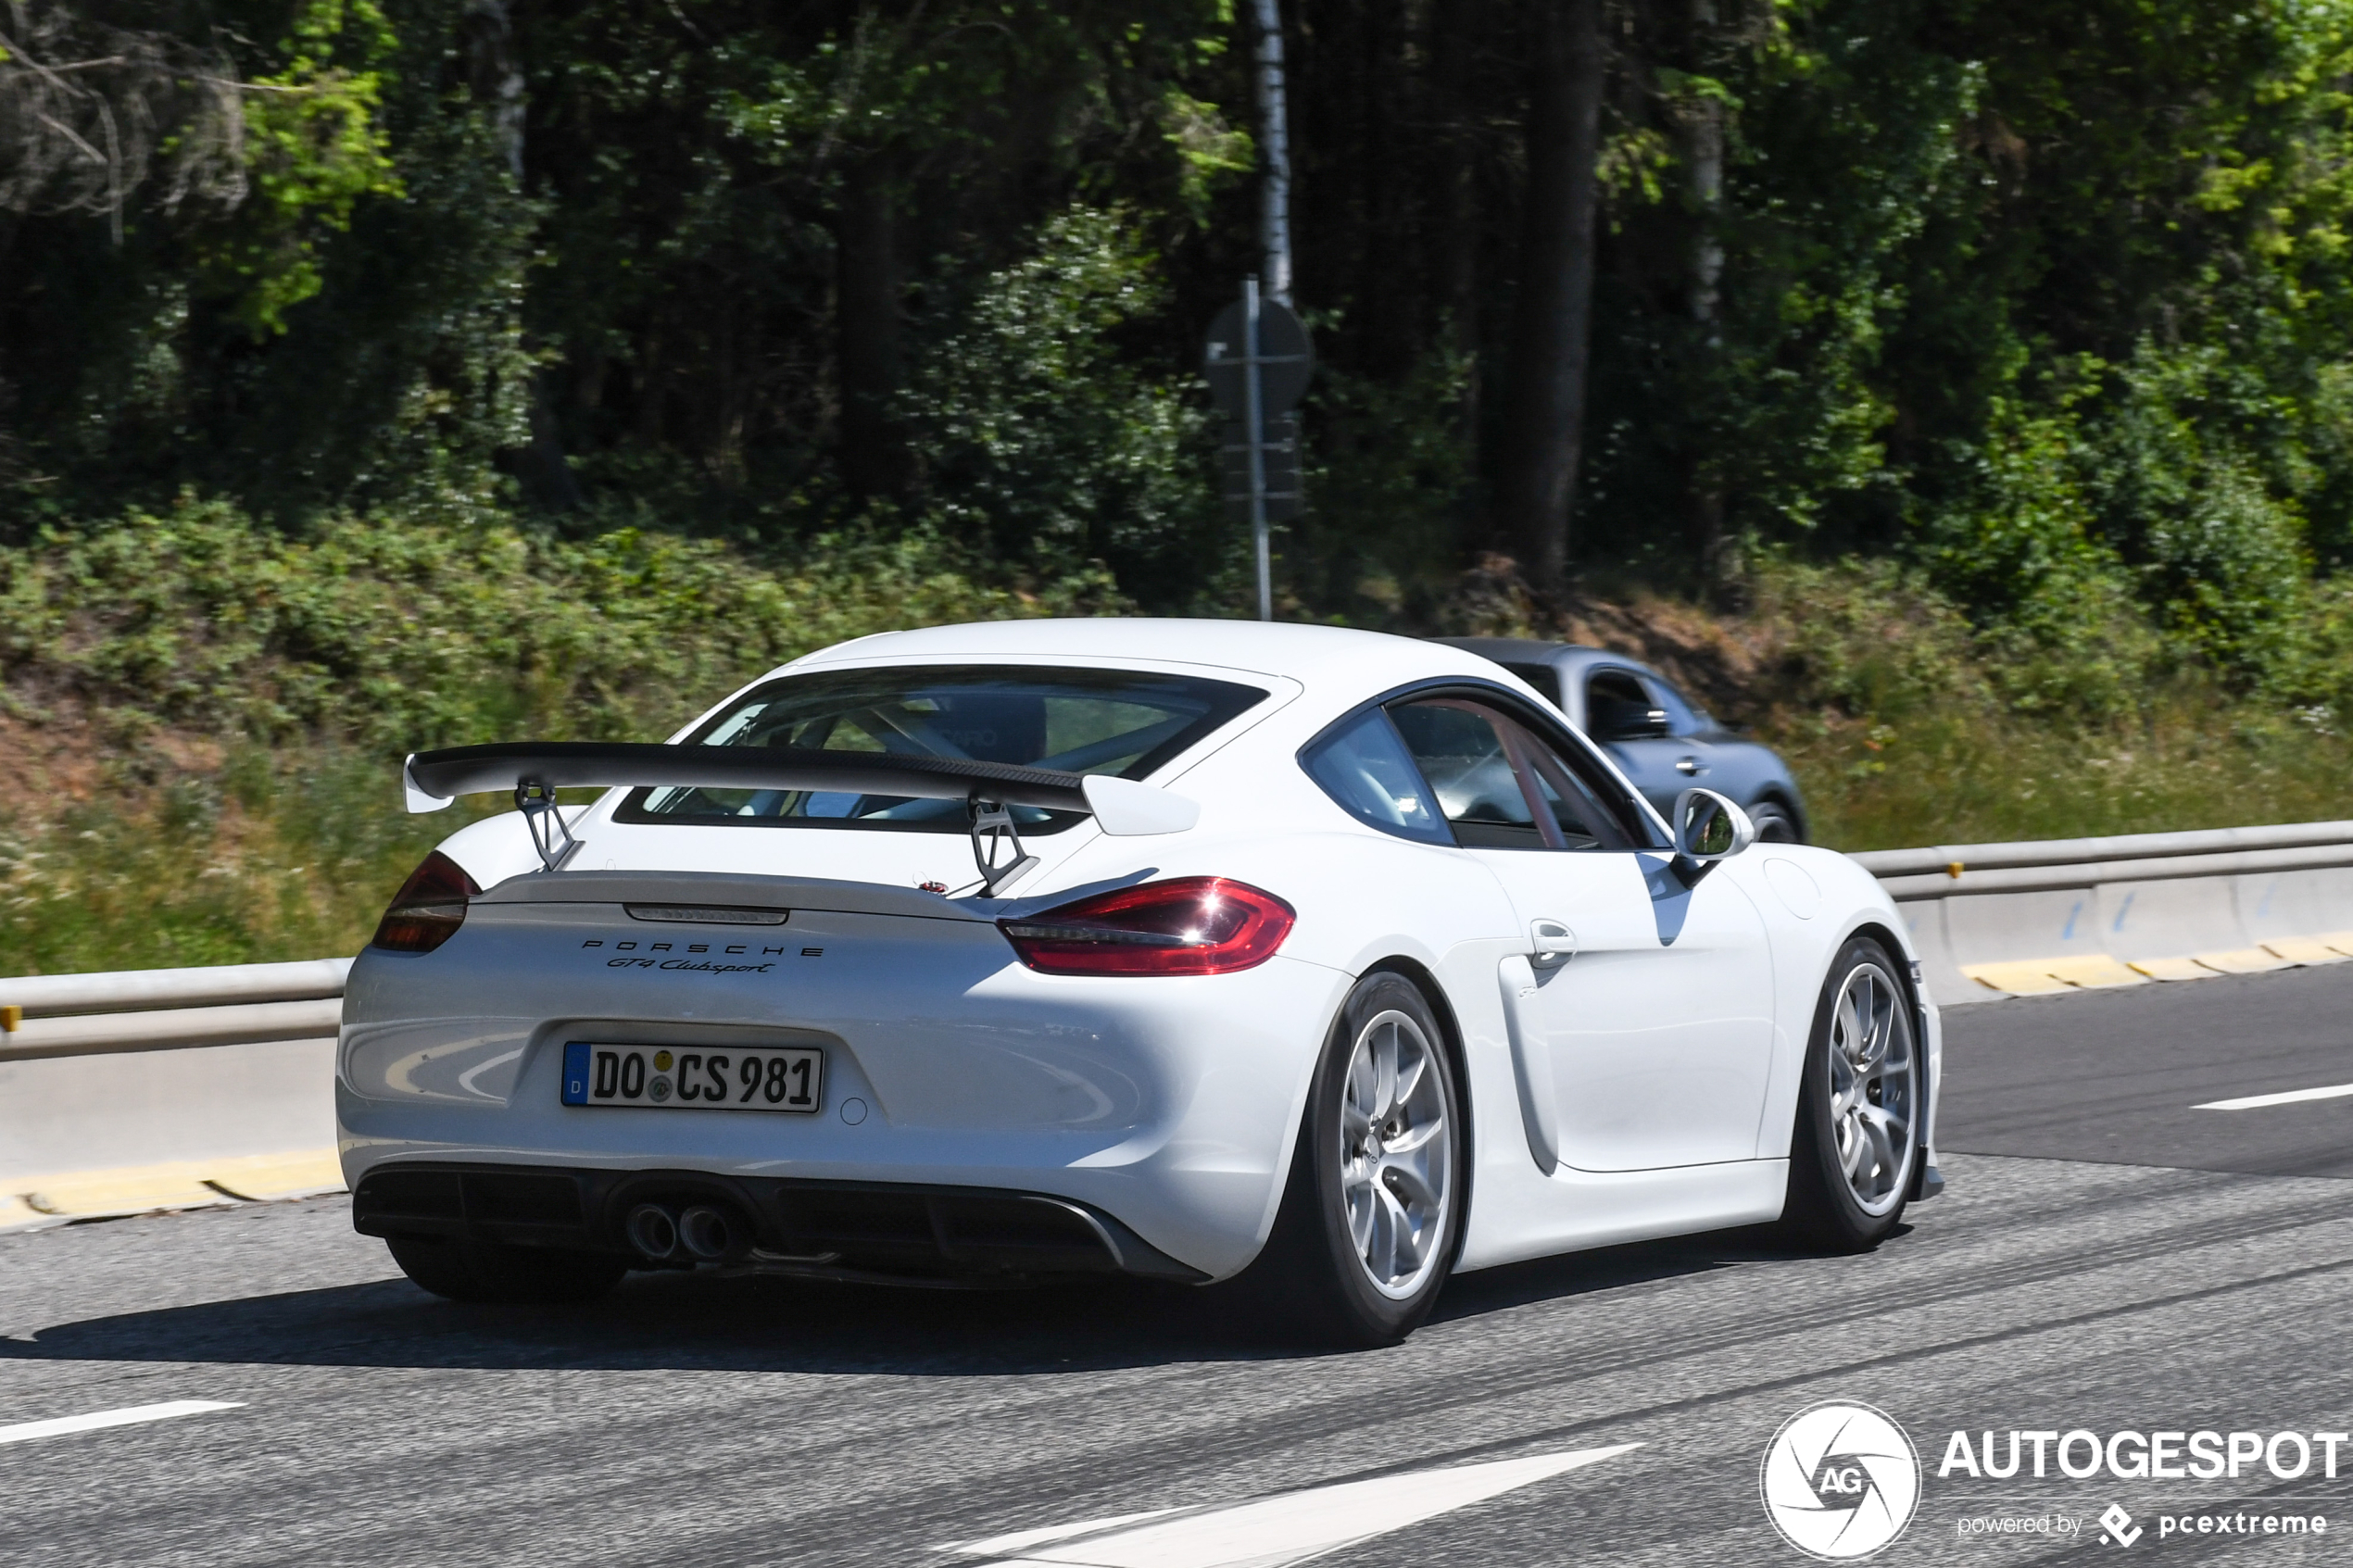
836, 1231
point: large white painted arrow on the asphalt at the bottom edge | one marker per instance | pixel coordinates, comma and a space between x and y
1284, 1529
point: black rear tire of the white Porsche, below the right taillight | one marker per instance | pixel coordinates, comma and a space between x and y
1314, 1282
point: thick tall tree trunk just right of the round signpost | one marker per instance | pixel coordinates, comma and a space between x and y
1554, 319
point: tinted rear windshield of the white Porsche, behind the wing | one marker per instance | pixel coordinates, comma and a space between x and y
1074, 721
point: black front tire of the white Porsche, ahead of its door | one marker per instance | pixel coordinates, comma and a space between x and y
1825, 1207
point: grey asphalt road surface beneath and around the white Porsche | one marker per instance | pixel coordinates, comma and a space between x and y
2105, 1261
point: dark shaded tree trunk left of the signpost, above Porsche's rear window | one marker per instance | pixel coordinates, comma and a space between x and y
869, 330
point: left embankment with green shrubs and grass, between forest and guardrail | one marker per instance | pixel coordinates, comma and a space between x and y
201, 713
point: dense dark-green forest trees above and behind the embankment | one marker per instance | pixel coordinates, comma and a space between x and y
2048, 302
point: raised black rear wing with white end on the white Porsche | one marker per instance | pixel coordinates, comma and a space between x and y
535, 770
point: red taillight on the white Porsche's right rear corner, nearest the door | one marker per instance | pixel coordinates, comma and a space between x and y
1180, 927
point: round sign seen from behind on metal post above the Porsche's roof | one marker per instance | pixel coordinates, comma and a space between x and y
1258, 366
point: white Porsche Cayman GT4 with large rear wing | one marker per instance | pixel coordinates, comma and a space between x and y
1175, 949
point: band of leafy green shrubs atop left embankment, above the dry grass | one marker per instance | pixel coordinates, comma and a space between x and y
404, 636
